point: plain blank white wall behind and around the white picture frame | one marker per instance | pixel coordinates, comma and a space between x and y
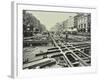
5, 38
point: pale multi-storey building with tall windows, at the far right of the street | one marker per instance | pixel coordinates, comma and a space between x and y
83, 22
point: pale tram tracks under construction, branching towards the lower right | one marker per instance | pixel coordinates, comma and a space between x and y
84, 63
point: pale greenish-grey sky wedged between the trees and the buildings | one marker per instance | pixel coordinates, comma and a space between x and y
49, 19
